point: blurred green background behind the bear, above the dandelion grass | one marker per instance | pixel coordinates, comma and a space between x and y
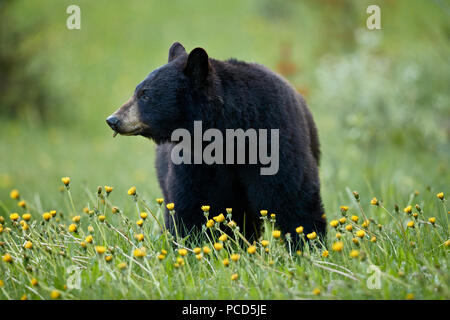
380, 98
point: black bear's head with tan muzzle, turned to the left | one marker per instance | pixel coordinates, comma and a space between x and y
169, 98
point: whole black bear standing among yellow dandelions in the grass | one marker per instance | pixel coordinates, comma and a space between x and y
194, 89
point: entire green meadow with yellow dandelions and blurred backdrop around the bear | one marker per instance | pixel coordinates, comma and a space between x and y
382, 107
